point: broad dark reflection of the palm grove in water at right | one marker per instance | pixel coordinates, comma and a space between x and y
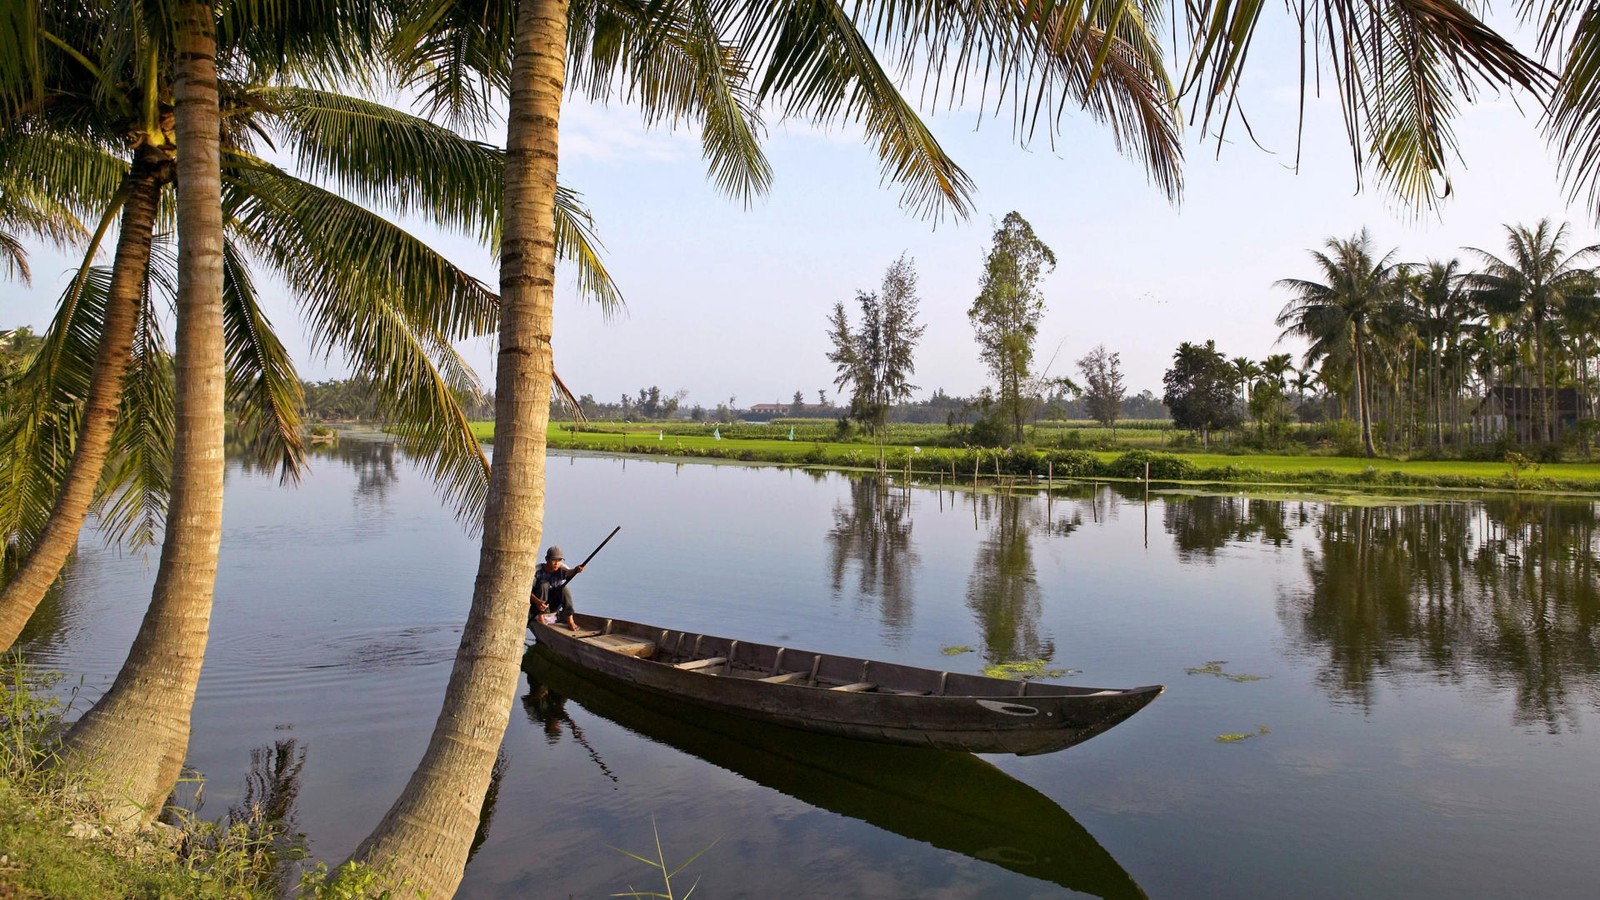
1506, 590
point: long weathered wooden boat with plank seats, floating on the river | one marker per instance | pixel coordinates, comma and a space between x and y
846, 696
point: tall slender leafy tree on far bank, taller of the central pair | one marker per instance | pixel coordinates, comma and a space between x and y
1007, 311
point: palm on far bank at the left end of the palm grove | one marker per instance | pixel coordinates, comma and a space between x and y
1337, 313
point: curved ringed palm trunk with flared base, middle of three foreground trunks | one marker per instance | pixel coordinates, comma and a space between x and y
135, 739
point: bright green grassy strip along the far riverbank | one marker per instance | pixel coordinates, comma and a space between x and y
772, 444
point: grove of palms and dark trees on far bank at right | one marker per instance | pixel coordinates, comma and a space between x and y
1420, 356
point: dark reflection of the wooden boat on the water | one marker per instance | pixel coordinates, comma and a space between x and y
954, 802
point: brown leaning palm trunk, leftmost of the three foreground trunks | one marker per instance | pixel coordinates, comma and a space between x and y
44, 561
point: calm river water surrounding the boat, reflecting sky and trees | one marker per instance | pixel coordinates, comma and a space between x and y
1423, 683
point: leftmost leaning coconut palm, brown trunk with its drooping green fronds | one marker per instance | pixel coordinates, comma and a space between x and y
388, 302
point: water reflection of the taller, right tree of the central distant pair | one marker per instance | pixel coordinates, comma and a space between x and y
1004, 589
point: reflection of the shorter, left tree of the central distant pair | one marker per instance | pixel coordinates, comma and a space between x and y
874, 534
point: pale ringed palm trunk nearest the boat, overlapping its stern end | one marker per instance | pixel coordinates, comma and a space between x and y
425, 838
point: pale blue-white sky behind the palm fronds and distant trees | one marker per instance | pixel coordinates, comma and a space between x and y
727, 302
